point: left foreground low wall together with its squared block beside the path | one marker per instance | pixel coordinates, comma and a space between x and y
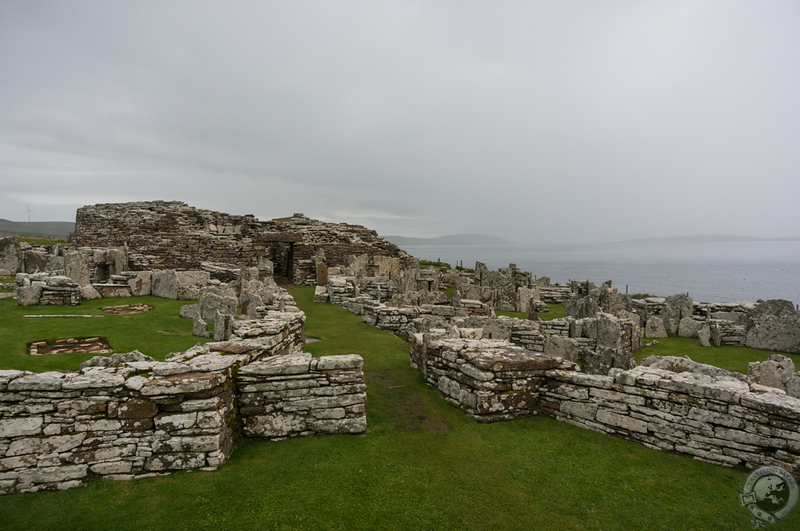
144, 418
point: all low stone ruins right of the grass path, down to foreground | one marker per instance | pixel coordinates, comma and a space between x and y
580, 369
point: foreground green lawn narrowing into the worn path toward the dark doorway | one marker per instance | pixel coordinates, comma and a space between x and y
421, 465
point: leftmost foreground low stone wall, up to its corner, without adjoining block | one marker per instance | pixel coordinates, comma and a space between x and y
140, 419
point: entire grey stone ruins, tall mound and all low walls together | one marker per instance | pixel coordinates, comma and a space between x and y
578, 369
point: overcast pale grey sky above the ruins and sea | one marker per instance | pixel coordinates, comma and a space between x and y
585, 121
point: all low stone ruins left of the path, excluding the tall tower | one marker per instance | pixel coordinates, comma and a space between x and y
127, 416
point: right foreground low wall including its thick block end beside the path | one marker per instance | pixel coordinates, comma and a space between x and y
716, 417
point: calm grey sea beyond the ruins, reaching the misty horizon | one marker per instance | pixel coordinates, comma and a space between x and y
708, 271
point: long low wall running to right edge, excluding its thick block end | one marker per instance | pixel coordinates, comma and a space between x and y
721, 420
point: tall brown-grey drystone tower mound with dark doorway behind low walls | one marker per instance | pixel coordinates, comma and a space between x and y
174, 235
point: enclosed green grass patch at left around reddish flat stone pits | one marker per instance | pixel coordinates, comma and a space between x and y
155, 333
